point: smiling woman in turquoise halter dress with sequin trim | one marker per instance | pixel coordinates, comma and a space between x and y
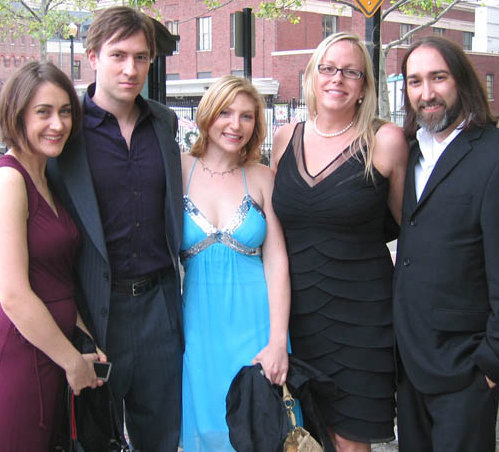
236, 286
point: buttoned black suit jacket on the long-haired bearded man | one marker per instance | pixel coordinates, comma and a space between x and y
446, 287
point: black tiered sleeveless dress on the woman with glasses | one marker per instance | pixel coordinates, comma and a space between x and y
341, 281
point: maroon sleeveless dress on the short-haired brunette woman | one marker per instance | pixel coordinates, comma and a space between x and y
31, 384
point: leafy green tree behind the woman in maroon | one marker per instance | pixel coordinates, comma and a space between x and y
42, 19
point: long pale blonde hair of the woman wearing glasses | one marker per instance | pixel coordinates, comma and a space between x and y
365, 112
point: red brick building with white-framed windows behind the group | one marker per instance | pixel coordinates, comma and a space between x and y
206, 47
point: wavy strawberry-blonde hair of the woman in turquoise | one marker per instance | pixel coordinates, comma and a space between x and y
218, 97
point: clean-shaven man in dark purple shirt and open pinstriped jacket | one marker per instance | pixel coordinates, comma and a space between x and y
121, 179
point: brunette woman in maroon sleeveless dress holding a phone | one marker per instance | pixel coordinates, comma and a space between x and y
38, 244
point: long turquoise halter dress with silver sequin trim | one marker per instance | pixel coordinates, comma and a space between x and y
226, 315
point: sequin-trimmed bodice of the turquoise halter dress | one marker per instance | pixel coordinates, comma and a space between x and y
244, 233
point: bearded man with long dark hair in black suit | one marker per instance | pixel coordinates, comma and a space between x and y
446, 288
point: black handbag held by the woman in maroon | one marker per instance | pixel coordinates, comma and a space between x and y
91, 421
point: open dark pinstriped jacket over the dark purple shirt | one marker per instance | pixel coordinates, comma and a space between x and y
71, 179
